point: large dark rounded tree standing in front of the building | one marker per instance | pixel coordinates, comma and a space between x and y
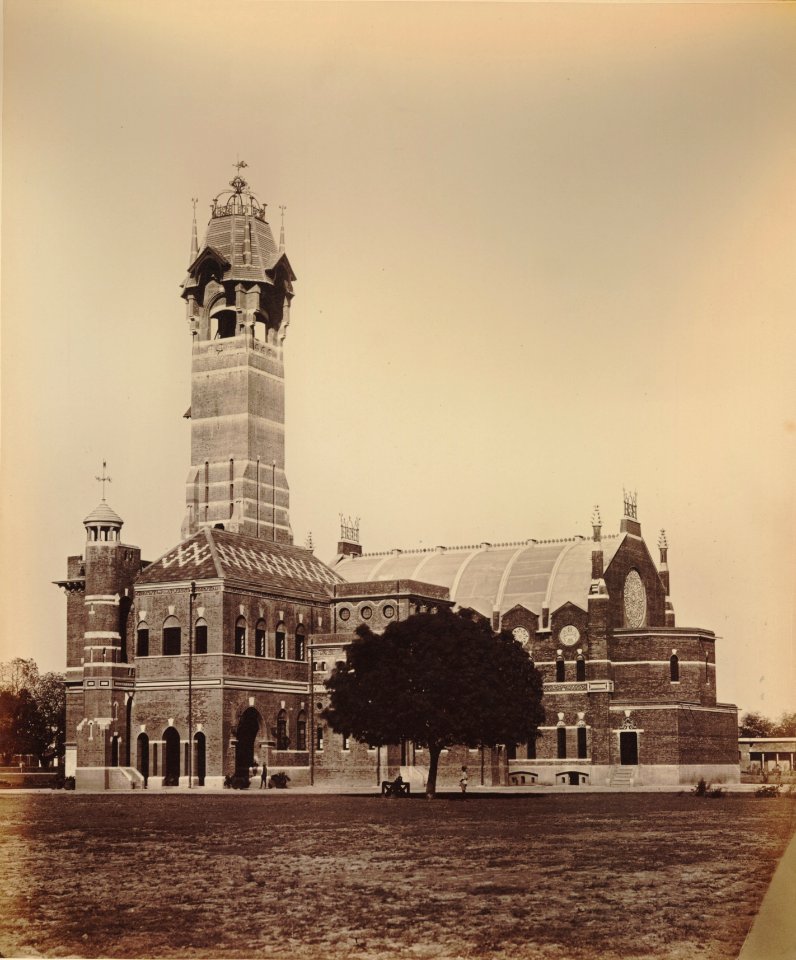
437, 679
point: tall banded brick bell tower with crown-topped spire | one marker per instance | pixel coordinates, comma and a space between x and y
238, 292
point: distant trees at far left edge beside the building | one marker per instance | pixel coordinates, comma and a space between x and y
32, 711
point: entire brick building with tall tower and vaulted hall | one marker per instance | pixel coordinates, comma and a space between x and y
210, 661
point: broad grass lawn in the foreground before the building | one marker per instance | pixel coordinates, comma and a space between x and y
278, 875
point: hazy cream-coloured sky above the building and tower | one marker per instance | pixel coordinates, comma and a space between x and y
544, 251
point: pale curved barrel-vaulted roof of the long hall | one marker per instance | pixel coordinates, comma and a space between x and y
493, 577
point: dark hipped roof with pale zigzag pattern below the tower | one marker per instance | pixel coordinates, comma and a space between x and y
277, 569
